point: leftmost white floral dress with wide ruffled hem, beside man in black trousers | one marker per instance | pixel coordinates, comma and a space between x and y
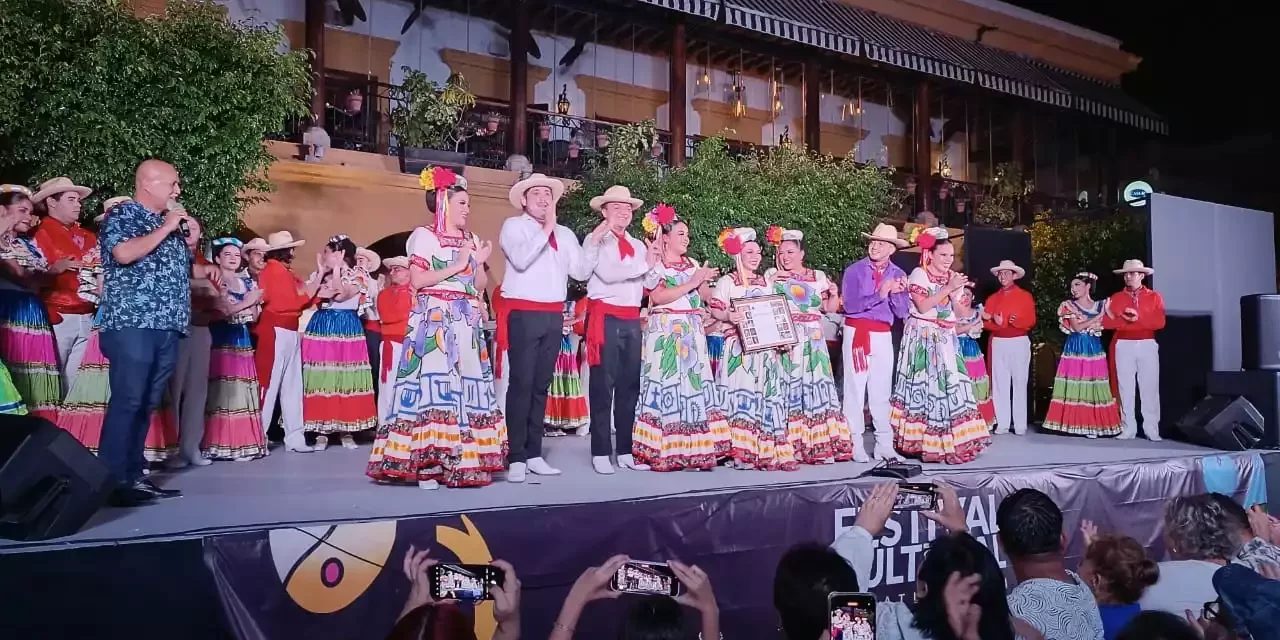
445, 422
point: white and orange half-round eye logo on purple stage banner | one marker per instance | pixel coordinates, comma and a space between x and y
324, 569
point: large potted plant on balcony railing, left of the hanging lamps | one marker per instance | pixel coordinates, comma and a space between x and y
427, 121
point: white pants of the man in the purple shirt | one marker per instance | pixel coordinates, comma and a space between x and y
874, 386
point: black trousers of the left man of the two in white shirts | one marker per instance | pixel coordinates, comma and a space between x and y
534, 337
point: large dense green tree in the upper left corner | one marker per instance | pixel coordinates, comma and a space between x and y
89, 90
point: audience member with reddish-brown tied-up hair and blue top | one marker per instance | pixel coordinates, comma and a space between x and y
1119, 572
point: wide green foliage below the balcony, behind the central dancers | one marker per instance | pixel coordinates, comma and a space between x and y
831, 200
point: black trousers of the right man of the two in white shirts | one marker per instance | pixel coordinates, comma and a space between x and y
616, 386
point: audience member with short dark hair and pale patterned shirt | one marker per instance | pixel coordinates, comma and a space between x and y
1049, 597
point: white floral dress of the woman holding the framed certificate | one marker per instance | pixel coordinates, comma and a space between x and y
755, 387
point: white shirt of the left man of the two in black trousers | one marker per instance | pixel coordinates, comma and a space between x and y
536, 272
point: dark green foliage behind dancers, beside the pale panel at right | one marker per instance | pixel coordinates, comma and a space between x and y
1067, 246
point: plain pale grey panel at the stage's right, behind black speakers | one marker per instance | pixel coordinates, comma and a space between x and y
1206, 258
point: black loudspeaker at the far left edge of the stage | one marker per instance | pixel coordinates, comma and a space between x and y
51, 484
